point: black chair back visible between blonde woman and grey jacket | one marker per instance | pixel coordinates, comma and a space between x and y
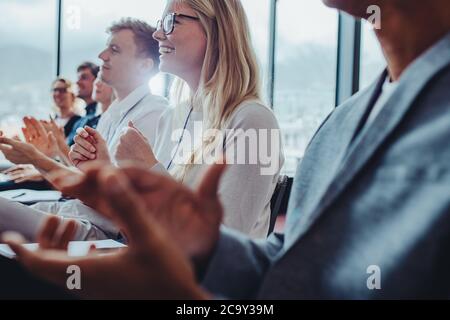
280, 200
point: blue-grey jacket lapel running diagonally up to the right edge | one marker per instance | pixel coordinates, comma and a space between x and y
372, 137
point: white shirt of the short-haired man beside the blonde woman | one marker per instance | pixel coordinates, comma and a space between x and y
140, 107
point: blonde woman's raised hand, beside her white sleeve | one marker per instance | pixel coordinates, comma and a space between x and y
134, 147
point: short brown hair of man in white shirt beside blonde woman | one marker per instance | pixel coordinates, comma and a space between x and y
143, 36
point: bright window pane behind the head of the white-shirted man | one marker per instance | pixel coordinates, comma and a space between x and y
84, 29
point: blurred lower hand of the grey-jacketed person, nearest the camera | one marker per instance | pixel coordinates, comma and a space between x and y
153, 267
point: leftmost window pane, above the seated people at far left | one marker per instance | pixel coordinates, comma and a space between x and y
27, 60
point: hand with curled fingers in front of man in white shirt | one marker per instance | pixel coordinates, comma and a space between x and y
89, 147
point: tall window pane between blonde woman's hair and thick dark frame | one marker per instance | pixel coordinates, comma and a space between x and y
305, 75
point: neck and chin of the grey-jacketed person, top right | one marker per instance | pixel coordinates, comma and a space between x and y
418, 26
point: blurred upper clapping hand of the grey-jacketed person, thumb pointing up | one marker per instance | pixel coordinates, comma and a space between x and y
192, 218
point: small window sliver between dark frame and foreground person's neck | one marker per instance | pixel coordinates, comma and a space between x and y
372, 59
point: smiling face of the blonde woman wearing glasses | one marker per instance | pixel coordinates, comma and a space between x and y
182, 51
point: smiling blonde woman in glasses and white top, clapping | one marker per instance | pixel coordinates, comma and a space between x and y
206, 45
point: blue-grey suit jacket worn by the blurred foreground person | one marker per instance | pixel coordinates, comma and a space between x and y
369, 215
